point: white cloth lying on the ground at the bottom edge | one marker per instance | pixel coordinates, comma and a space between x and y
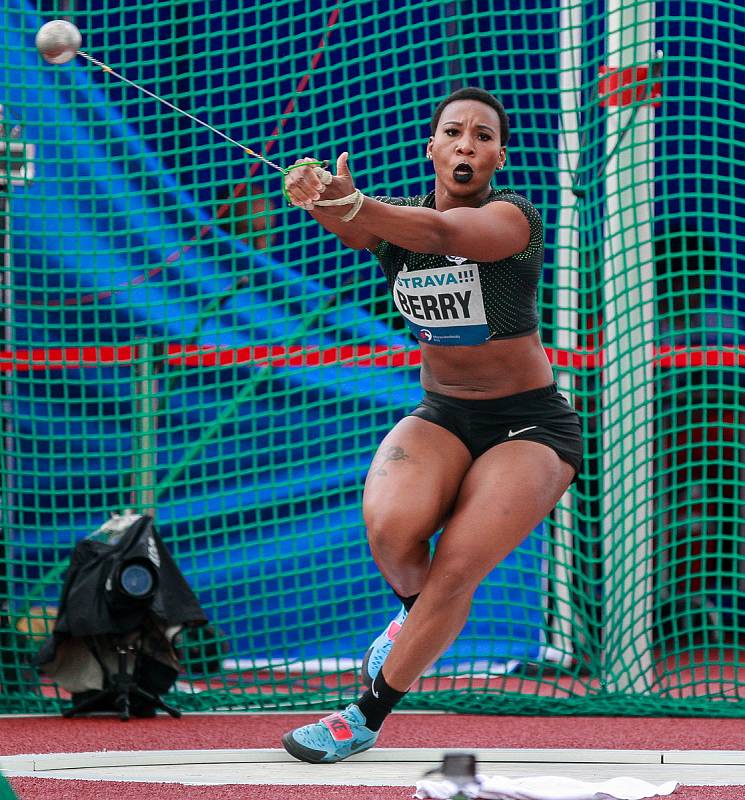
496, 787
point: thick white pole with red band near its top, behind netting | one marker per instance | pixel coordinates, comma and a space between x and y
628, 372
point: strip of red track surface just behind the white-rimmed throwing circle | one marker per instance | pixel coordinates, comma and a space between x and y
225, 731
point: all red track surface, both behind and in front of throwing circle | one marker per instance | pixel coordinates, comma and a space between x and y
200, 731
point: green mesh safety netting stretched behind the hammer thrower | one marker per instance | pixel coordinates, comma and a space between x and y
178, 341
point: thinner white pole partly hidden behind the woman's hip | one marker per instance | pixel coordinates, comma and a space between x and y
566, 322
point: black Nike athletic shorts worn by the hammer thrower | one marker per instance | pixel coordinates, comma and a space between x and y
541, 415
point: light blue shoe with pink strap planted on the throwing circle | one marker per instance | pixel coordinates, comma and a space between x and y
331, 739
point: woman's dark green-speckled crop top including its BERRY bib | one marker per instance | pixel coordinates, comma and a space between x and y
449, 300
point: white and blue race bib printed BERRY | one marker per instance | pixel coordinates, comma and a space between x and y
444, 305
